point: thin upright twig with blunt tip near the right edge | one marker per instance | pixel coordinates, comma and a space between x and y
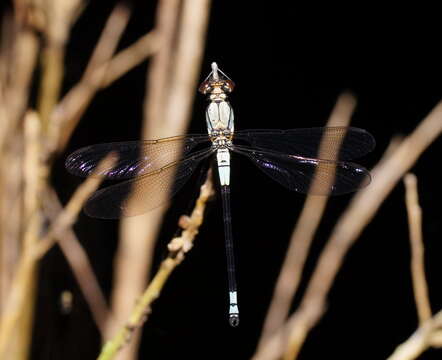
417, 249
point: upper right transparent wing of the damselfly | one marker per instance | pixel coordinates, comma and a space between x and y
338, 143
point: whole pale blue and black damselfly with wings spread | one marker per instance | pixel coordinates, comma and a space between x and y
313, 161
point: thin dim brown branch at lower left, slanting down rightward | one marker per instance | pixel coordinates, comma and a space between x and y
79, 263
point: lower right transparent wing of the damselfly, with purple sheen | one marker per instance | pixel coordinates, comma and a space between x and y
308, 175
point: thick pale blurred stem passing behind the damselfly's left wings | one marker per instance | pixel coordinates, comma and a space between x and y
170, 89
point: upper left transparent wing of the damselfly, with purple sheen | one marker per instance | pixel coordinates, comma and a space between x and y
135, 158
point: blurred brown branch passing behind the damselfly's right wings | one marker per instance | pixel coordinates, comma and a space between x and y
303, 233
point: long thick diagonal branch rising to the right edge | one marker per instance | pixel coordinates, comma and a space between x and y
290, 338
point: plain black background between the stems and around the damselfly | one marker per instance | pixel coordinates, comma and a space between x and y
289, 65
